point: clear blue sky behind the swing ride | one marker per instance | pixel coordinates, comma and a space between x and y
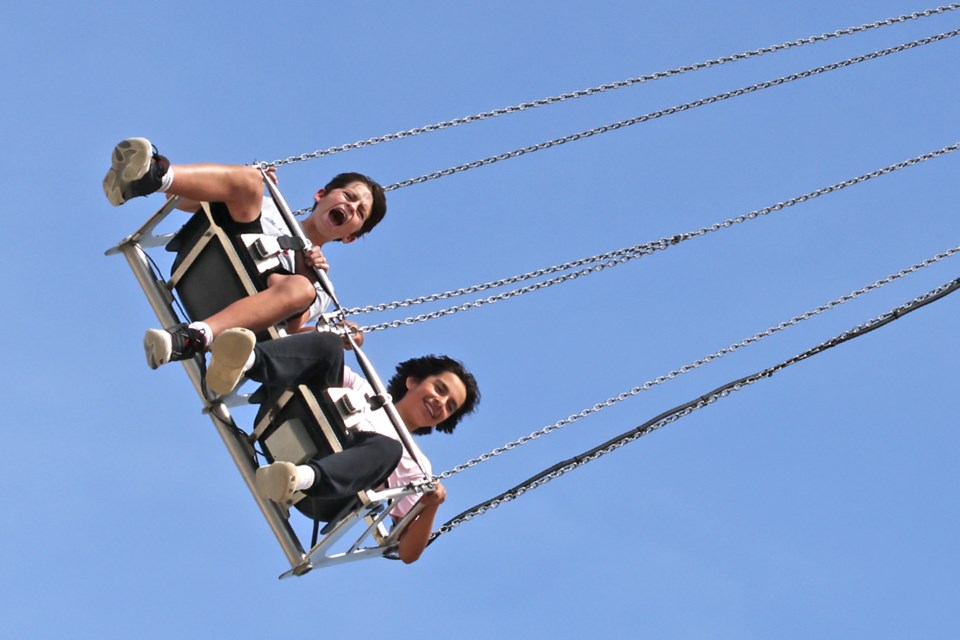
819, 503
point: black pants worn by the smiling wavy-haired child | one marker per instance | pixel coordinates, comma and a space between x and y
315, 359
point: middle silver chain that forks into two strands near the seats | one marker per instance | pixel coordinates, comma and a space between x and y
621, 256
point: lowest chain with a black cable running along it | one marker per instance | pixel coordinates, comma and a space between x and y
683, 410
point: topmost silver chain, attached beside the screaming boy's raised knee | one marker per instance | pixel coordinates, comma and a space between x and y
611, 86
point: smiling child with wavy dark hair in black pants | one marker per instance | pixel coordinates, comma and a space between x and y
428, 392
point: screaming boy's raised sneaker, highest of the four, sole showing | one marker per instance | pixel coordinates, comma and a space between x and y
137, 170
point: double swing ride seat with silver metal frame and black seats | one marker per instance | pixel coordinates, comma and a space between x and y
211, 270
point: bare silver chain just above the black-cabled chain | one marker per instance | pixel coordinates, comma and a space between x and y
609, 402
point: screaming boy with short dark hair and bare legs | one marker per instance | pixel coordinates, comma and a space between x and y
346, 208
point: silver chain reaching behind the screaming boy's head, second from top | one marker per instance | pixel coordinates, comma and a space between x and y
664, 112
